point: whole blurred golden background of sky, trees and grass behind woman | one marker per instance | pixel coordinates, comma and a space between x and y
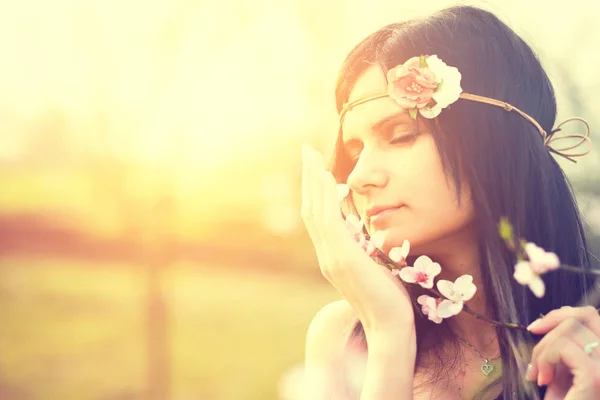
150, 239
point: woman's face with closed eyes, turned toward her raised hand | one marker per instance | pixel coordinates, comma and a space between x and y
398, 184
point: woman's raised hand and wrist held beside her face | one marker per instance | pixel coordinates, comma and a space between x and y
379, 299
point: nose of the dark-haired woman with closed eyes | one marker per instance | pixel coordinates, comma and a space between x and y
368, 173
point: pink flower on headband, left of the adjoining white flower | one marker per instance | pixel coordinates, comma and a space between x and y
411, 85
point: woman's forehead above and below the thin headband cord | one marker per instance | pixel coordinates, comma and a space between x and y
371, 82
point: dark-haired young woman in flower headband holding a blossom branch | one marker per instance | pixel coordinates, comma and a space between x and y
446, 126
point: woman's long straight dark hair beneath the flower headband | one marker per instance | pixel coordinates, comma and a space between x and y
508, 168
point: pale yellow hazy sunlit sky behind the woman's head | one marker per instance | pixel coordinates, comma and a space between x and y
214, 89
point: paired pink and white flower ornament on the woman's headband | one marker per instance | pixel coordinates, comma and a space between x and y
424, 85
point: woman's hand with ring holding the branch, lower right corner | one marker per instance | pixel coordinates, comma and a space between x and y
567, 359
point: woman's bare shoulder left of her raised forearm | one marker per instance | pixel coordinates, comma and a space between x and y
328, 332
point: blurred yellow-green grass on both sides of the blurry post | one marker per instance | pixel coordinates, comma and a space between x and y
73, 331
